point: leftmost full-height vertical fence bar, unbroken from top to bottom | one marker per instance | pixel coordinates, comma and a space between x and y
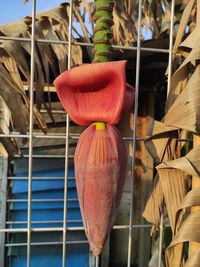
30, 160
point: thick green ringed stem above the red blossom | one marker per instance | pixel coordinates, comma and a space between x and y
102, 31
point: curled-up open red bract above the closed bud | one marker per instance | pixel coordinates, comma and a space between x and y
94, 92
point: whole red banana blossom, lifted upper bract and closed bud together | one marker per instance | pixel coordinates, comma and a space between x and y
96, 95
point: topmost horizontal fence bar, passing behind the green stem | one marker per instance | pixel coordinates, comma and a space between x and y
60, 42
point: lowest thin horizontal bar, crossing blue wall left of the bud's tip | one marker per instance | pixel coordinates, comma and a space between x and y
47, 243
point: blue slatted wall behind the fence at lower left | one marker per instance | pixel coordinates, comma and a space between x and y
51, 255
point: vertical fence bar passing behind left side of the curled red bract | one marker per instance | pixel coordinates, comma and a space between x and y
67, 144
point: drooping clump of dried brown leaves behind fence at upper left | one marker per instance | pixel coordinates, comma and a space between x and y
15, 57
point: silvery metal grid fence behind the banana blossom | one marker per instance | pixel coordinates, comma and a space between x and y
31, 135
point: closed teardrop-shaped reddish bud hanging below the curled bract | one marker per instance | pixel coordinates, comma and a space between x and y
100, 167
